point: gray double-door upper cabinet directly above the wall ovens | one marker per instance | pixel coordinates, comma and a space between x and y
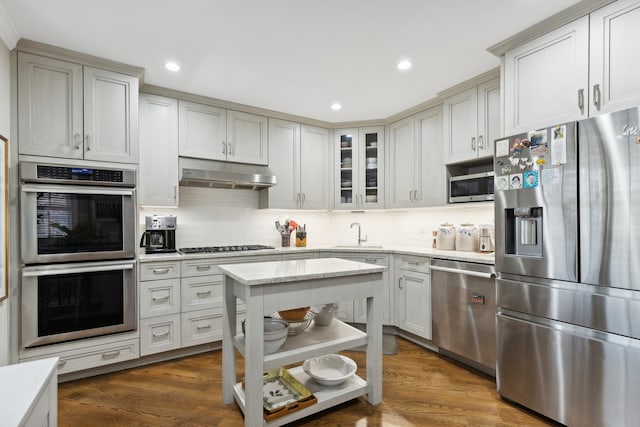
72, 111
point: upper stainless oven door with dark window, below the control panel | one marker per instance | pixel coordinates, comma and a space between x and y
61, 223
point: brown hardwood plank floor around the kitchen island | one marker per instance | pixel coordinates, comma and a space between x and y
420, 389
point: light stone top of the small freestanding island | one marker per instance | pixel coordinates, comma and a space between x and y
260, 273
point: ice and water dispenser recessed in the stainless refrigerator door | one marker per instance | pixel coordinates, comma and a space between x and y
523, 231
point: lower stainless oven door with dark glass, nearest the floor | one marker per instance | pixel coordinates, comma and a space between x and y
66, 302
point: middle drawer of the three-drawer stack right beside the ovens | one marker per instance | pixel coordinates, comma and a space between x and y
159, 298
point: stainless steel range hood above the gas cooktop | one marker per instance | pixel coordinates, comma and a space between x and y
218, 174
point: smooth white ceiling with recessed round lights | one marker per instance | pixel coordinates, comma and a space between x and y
292, 56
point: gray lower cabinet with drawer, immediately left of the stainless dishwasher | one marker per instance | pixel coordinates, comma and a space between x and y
413, 295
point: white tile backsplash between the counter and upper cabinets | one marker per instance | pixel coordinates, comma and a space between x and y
226, 217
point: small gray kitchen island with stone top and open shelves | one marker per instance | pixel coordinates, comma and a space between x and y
268, 287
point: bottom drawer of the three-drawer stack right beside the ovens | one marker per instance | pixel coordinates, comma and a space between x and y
159, 334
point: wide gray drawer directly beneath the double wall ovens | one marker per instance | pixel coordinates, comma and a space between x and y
99, 356
